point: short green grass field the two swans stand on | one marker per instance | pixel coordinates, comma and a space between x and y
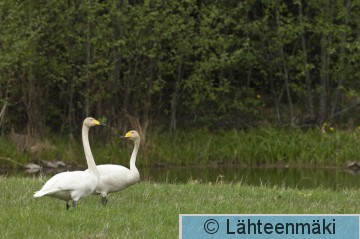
149, 210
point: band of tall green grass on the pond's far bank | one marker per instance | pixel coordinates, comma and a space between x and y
252, 147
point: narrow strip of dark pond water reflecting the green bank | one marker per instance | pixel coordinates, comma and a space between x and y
294, 177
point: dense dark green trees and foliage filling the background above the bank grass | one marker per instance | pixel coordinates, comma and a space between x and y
178, 63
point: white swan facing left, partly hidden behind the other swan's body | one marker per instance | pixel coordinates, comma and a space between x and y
114, 178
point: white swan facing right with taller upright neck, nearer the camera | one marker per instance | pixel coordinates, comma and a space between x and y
77, 184
